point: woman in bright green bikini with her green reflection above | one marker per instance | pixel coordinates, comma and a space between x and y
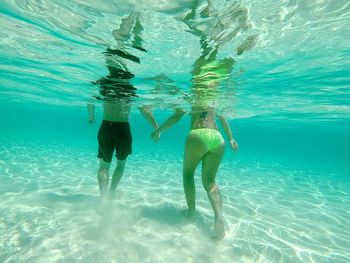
204, 142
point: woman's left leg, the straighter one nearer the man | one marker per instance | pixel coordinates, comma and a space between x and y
194, 151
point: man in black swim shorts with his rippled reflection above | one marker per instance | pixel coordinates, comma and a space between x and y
117, 93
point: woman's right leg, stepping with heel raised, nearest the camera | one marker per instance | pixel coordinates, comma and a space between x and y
210, 166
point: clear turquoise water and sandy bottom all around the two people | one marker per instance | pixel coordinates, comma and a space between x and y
286, 192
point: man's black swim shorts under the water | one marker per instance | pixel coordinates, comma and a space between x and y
114, 135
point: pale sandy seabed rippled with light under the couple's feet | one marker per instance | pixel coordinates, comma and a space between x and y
51, 212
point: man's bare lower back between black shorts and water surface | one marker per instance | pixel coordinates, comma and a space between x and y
116, 111
